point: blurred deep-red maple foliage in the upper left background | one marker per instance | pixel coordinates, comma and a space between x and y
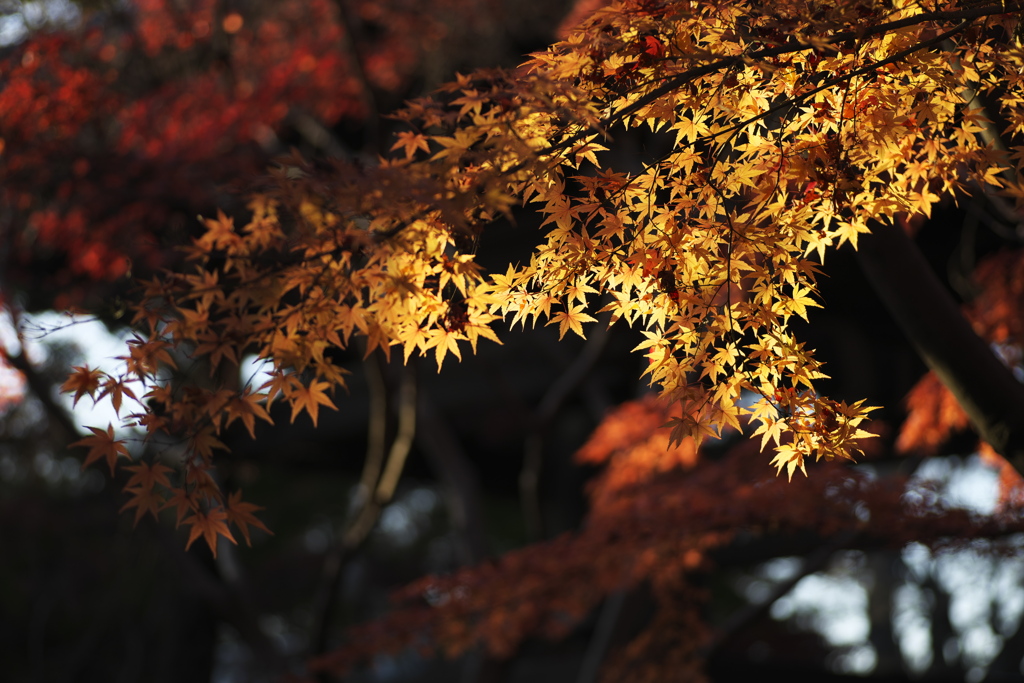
116, 137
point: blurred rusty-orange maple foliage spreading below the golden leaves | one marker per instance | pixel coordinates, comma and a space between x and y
662, 530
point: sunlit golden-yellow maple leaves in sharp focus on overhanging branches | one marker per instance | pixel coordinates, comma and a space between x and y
786, 129
